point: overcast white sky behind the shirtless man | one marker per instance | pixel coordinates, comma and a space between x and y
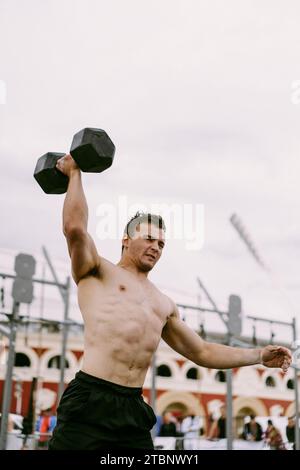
196, 96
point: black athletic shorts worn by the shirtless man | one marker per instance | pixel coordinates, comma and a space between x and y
96, 414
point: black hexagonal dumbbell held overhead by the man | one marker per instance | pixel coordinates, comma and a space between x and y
92, 150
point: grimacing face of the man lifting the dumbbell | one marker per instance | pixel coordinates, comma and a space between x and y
145, 245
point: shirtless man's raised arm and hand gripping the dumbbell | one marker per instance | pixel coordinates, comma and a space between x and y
84, 257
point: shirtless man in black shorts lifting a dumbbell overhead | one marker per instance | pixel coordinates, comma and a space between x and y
125, 316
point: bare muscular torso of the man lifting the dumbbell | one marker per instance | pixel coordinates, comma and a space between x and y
124, 317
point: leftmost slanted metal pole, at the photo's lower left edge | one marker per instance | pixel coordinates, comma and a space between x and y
8, 379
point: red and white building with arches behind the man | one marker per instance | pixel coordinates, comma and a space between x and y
180, 384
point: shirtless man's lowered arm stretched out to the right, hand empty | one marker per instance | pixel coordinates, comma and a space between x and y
186, 342
